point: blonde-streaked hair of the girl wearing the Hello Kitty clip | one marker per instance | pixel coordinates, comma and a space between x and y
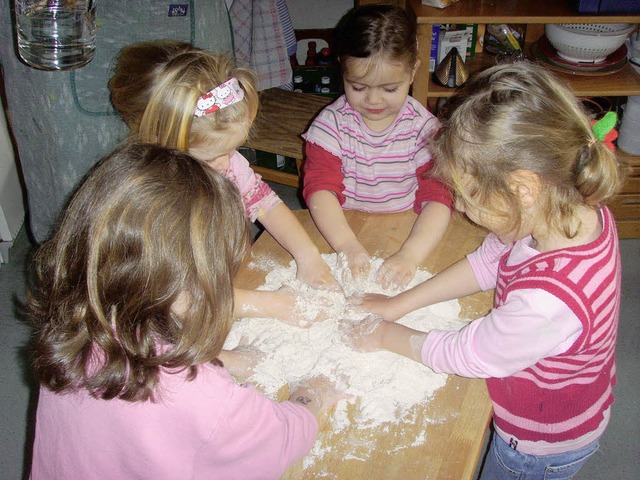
156, 85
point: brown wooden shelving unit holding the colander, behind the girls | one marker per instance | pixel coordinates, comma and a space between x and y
535, 13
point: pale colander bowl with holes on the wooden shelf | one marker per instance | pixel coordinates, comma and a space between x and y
587, 42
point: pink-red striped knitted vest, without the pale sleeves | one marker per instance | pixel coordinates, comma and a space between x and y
563, 397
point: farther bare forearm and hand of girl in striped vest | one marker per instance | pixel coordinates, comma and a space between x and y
456, 281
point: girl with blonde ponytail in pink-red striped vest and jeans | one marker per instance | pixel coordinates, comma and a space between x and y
524, 161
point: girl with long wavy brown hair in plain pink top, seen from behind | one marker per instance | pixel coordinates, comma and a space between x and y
133, 304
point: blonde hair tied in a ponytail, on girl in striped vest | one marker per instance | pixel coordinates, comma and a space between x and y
519, 116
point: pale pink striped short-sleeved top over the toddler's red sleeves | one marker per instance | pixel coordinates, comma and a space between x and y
379, 168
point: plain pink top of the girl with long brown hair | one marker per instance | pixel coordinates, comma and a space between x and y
209, 428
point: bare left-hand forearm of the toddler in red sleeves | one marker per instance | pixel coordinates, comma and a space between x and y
330, 220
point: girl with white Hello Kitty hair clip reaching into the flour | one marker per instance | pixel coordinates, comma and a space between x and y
183, 97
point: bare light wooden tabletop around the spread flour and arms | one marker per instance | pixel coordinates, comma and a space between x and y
453, 444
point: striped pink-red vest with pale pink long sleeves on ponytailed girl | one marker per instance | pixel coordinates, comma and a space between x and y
547, 347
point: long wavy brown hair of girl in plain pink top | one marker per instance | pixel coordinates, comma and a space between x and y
147, 225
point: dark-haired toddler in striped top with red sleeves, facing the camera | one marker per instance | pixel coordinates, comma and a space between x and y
368, 150
